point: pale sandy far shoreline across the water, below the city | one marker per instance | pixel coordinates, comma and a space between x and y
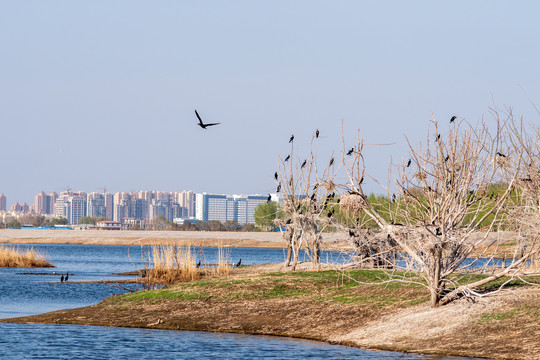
194, 238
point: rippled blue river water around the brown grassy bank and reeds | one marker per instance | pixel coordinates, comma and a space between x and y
27, 294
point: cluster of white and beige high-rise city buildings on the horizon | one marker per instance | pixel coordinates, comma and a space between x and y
138, 207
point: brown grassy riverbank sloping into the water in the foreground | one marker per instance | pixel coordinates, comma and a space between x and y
327, 306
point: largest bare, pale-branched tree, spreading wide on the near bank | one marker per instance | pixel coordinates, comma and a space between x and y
448, 199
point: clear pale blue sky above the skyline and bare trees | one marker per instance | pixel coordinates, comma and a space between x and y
102, 93
